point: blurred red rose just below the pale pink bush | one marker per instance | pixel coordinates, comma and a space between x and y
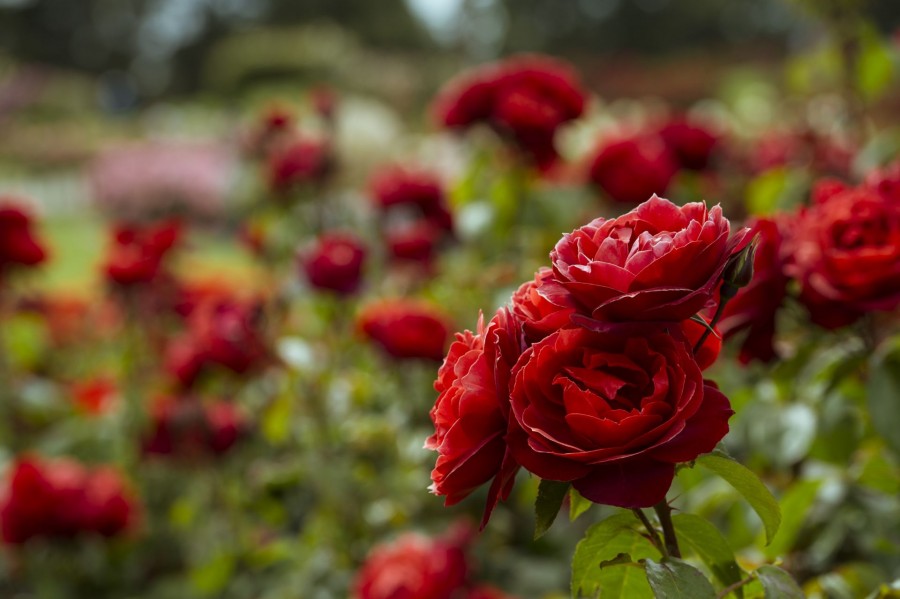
136, 253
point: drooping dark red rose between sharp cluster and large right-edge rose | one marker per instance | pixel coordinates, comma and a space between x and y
755, 306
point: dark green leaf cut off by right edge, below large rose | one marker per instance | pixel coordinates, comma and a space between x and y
883, 391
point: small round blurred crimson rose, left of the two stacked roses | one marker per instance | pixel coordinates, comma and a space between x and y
335, 263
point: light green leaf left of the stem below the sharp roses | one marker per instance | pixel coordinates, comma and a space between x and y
604, 542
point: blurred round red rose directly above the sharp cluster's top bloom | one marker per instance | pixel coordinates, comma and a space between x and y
630, 170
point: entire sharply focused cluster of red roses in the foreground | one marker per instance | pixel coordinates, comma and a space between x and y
593, 374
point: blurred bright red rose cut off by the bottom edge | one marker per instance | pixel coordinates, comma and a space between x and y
413, 567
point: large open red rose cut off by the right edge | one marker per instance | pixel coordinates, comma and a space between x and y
845, 252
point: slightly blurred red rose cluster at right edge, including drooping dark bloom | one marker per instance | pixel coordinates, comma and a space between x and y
842, 251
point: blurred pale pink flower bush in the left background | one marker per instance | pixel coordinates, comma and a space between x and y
137, 181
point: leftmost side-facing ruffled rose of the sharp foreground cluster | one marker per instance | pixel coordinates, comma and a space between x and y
471, 413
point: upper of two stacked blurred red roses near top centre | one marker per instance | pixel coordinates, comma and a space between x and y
397, 186
